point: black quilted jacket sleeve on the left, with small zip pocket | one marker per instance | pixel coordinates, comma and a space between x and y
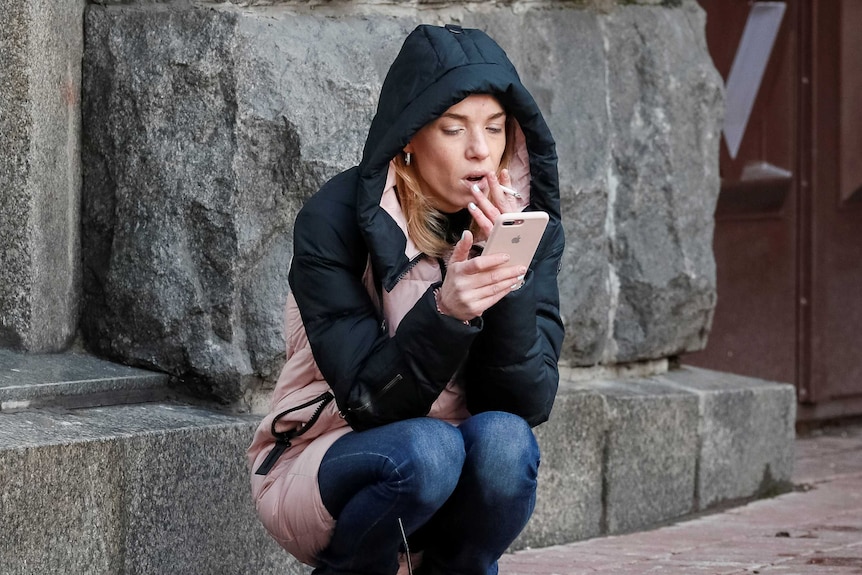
376, 379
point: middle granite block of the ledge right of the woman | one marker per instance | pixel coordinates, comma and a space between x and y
650, 456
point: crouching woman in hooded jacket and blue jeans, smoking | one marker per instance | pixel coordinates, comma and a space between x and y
438, 359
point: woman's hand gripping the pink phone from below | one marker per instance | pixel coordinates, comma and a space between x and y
473, 285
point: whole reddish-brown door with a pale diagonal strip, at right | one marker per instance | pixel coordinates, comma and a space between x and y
788, 235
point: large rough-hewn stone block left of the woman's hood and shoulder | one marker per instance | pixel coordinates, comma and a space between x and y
200, 150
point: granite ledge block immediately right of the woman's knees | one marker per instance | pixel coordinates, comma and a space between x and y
569, 496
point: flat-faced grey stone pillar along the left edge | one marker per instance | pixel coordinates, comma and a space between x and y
41, 44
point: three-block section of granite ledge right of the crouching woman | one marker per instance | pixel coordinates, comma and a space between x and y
657, 448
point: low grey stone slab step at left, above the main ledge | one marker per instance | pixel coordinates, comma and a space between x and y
73, 380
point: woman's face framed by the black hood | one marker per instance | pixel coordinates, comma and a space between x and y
458, 150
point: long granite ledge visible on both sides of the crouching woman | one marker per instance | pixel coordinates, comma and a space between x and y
164, 488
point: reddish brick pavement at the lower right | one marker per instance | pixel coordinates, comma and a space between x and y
816, 529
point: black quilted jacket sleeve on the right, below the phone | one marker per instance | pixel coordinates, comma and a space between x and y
513, 362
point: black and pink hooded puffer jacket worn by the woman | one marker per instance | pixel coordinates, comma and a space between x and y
362, 326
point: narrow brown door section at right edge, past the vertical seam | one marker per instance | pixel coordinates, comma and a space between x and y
831, 383
